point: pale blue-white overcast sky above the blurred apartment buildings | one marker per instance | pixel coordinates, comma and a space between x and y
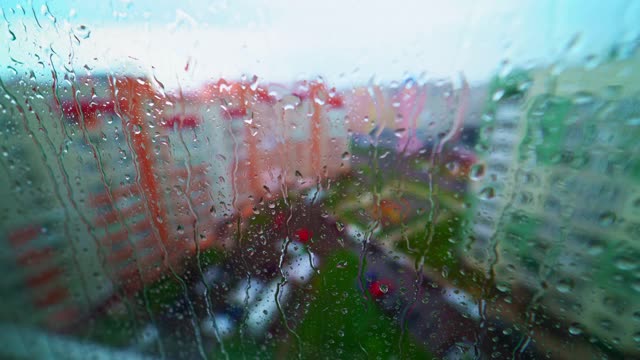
346, 42
